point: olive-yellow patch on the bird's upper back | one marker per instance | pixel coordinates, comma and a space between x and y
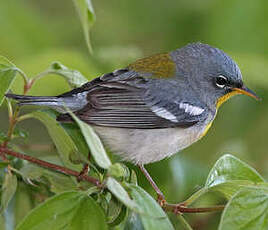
159, 65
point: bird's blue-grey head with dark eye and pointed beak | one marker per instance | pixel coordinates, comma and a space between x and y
210, 72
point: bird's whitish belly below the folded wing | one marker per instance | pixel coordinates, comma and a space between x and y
143, 146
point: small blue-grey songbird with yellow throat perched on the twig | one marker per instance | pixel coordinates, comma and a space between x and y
156, 106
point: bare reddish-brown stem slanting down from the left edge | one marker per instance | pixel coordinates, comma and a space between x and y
51, 166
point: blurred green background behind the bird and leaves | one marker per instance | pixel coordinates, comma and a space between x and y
34, 33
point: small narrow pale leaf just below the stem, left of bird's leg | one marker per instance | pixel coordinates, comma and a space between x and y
120, 193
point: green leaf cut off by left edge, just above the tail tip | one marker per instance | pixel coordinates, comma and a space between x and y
7, 76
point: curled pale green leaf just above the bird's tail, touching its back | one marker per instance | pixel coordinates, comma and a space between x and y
73, 77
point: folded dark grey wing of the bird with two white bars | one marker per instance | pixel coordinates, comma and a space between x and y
122, 99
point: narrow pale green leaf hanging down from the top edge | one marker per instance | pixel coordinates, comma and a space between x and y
87, 17
